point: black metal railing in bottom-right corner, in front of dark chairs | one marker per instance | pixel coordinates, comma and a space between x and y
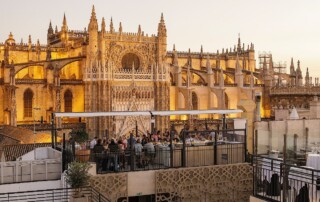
277, 181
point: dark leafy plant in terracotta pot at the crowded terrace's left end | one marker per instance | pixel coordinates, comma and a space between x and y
81, 137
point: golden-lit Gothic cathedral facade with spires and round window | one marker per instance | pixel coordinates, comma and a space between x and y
104, 69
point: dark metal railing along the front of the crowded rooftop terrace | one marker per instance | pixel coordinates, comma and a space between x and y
226, 148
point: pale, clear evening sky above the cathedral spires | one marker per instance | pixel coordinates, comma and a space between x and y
286, 28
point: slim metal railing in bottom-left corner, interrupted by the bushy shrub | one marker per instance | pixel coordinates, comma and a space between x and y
58, 195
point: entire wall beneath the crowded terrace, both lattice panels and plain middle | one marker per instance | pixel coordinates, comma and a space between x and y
210, 183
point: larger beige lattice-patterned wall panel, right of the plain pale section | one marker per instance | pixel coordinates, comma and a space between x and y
211, 183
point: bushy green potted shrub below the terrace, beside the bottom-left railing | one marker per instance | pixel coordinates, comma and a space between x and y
77, 177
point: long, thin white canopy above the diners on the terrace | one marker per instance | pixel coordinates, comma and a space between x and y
145, 113
